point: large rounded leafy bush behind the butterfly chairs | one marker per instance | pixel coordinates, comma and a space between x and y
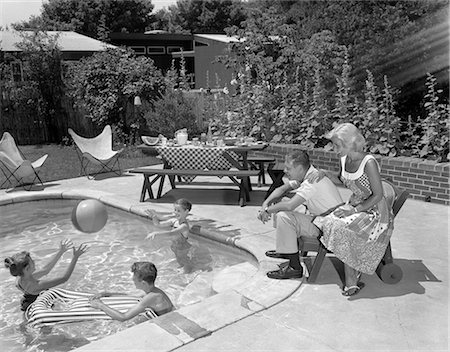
106, 83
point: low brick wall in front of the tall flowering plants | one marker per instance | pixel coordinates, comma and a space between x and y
424, 179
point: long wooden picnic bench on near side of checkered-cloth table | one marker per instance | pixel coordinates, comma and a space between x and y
160, 174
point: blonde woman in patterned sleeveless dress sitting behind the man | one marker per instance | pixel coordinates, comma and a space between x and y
359, 231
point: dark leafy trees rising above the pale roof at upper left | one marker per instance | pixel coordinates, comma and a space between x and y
83, 16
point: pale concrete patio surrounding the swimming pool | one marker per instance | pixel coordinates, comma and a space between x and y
288, 315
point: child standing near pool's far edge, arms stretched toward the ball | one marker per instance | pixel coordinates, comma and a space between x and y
176, 225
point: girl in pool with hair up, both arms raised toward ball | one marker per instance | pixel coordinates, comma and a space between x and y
29, 280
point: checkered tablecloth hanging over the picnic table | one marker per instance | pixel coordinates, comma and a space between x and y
196, 158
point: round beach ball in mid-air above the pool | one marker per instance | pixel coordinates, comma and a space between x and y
89, 216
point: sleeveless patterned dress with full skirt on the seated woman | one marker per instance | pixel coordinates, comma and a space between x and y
359, 240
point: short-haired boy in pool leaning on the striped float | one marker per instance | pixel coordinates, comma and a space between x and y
144, 275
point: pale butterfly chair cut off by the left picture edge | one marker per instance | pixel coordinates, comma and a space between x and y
15, 167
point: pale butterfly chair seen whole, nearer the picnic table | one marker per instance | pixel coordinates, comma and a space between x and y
97, 151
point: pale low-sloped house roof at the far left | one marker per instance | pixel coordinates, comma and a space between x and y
67, 41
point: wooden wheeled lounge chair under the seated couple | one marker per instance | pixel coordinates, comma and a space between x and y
386, 270
